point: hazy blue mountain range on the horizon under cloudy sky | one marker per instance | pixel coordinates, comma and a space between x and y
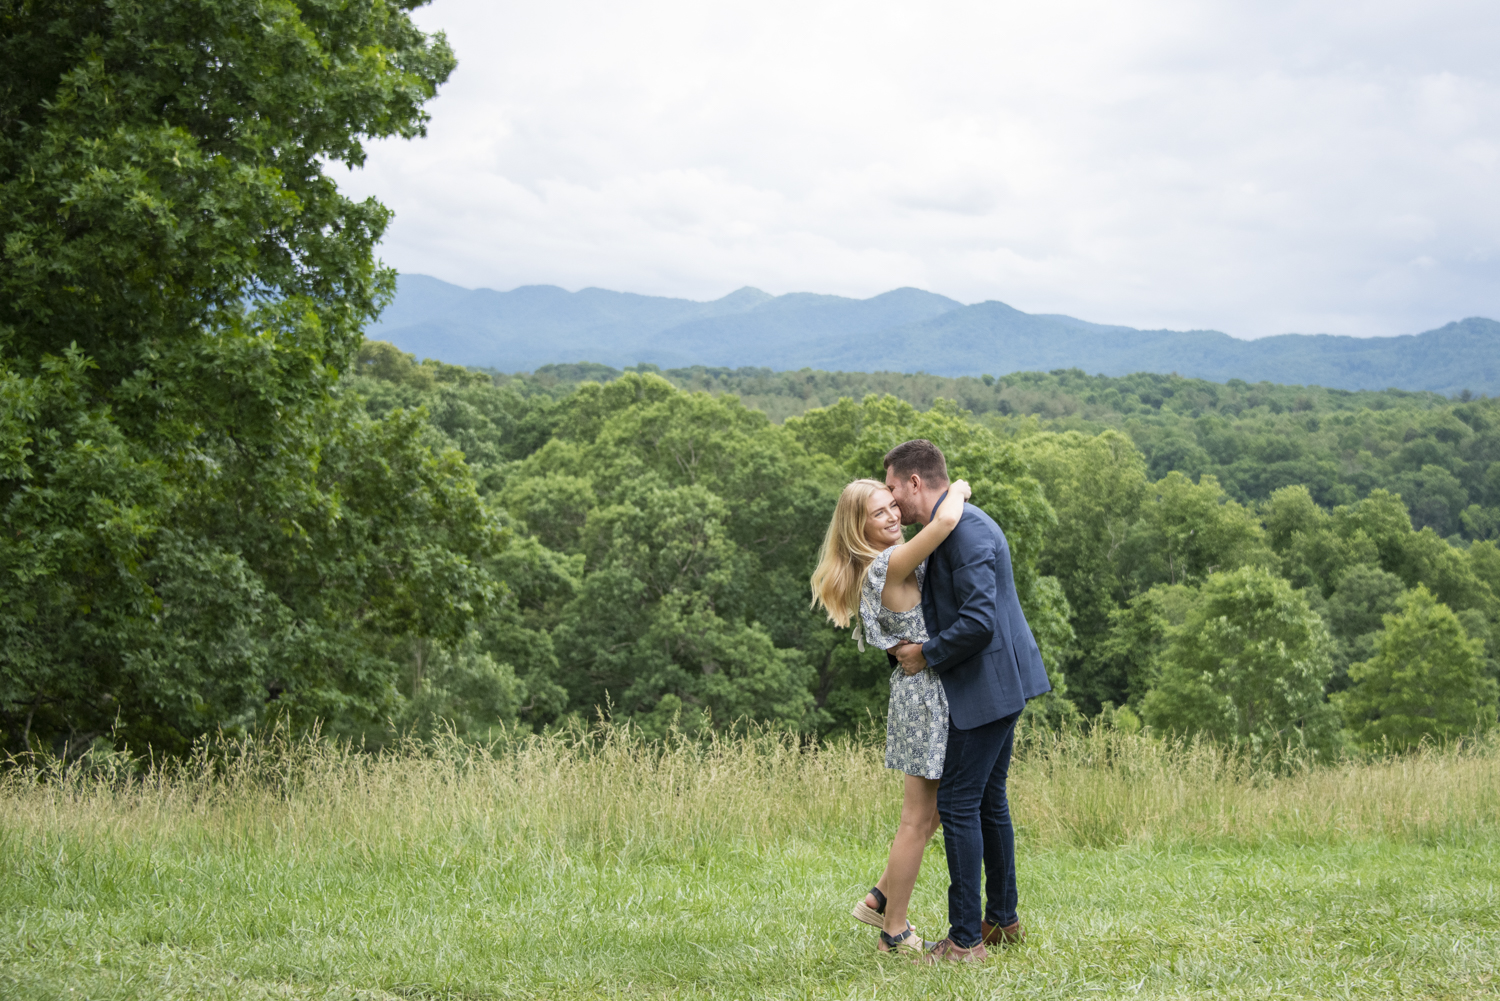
901, 331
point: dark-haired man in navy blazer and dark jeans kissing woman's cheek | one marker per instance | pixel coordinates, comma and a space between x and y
989, 664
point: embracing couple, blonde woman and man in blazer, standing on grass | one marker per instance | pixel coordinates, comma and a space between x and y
944, 609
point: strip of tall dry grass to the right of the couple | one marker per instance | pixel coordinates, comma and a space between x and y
1100, 787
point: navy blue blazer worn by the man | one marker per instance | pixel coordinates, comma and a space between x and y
982, 646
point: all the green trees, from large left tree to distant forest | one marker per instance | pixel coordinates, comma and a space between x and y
220, 507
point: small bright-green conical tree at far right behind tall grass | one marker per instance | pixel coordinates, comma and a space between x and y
1424, 681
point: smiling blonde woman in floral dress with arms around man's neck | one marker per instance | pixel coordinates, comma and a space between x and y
865, 570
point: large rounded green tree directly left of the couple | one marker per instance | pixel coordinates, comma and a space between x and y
698, 523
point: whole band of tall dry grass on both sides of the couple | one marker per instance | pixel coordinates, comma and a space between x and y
610, 792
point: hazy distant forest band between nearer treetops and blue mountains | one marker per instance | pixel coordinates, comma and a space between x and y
1438, 452
